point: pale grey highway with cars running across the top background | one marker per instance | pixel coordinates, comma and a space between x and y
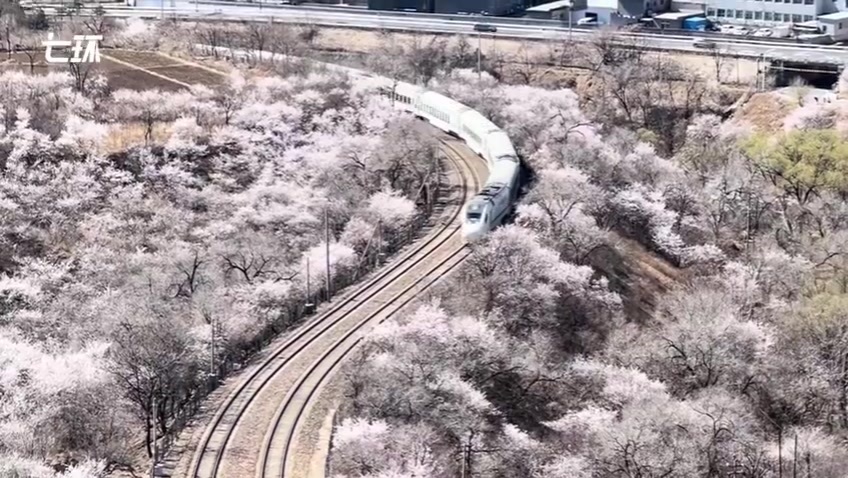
457, 24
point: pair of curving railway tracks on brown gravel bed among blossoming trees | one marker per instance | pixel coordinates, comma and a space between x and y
274, 398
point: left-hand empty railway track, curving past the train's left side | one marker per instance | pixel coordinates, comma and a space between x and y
210, 451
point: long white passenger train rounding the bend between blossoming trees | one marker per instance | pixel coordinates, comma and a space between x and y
488, 208
